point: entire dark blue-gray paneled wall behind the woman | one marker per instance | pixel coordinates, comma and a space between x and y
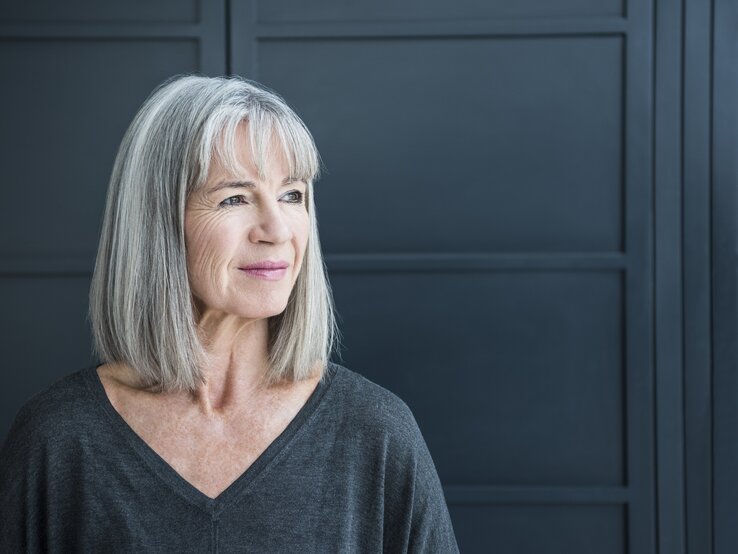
528, 215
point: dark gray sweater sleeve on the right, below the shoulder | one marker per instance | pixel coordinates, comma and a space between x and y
417, 519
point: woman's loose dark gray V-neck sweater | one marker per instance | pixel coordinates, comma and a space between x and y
351, 473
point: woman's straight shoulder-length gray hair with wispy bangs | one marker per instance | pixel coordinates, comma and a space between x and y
141, 306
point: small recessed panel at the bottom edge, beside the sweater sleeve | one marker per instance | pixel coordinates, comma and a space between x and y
549, 529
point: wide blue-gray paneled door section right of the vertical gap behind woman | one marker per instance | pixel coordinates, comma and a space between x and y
486, 213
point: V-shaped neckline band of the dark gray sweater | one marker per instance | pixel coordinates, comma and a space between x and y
177, 482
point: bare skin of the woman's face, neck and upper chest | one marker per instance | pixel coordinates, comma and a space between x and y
212, 436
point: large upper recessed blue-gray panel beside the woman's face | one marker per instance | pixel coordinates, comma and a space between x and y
463, 145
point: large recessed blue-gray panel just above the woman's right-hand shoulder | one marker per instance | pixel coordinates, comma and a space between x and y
515, 378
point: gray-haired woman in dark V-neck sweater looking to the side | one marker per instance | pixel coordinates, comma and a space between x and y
216, 422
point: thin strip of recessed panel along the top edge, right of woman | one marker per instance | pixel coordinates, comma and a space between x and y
280, 11
